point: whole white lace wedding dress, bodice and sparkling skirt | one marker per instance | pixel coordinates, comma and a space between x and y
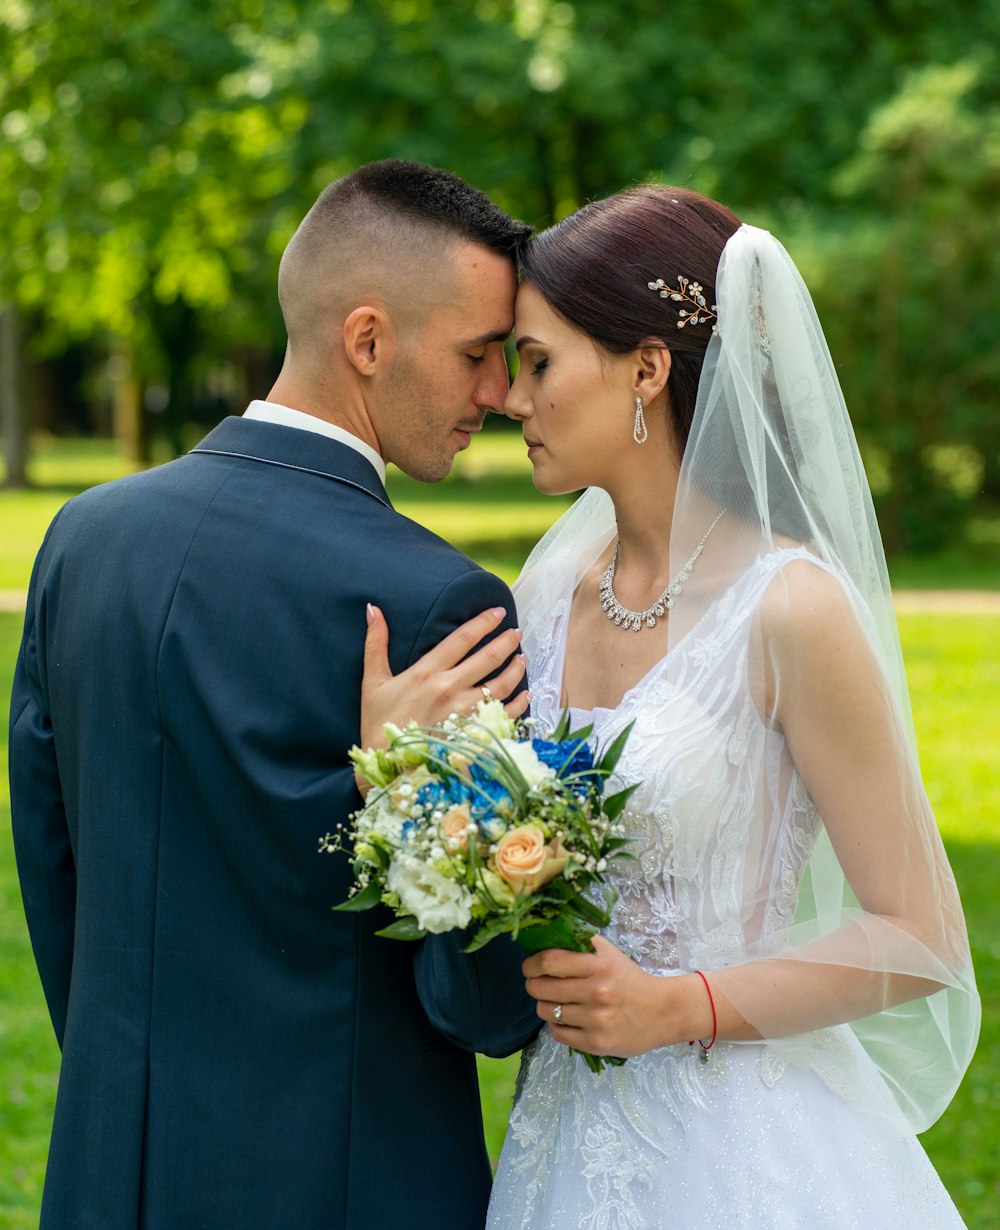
746, 1140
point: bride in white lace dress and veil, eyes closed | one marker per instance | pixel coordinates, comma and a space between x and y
788, 967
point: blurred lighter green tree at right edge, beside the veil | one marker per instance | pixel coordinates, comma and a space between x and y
911, 295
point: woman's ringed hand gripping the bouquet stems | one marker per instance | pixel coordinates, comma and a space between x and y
609, 1006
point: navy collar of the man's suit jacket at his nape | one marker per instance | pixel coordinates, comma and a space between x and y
292, 448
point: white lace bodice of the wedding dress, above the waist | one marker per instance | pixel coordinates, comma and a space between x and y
723, 825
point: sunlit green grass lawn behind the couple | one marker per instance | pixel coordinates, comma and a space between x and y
491, 509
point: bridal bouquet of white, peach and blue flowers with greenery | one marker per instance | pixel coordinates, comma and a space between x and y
480, 825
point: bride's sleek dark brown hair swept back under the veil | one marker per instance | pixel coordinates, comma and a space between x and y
595, 269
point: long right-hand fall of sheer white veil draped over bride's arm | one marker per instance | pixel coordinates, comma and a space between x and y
879, 937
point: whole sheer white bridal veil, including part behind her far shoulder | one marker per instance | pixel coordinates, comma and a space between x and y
772, 445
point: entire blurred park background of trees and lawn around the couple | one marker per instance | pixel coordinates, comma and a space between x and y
156, 157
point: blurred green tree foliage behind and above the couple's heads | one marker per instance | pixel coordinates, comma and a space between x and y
158, 154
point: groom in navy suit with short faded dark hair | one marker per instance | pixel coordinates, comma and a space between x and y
236, 1055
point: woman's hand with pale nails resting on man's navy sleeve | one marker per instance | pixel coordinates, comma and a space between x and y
448, 680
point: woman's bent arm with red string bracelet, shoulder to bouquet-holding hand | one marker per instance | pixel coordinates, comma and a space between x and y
826, 691
